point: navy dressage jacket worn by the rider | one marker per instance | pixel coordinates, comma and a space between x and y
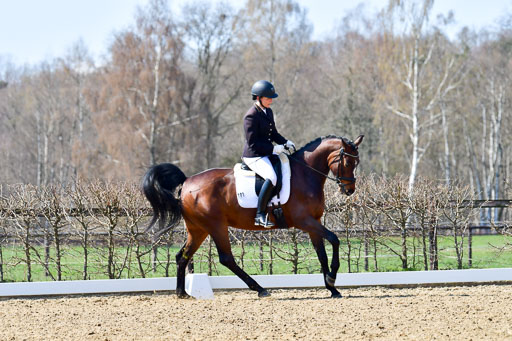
260, 132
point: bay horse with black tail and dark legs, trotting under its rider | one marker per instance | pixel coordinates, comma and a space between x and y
208, 204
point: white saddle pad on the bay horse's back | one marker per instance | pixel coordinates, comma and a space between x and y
245, 182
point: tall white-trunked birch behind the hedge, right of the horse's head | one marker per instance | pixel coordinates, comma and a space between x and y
421, 86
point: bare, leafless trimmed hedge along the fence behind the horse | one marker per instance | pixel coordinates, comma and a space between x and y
100, 225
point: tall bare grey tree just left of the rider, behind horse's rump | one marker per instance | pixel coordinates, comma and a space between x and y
211, 32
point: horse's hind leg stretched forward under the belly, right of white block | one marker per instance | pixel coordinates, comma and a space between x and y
221, 238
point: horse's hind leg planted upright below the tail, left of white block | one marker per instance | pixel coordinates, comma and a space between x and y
195, 238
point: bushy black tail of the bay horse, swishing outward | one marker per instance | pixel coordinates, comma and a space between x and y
159, 184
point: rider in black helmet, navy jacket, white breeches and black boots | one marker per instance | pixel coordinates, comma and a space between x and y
260, 132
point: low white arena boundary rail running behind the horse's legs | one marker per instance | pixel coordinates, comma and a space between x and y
201, 285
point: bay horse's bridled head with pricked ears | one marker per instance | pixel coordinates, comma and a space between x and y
343, 163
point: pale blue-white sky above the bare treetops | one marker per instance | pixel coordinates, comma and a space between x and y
32, 31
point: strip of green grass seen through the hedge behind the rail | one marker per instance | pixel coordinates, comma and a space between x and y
488, 252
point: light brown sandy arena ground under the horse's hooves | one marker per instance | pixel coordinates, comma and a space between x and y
438, 313
